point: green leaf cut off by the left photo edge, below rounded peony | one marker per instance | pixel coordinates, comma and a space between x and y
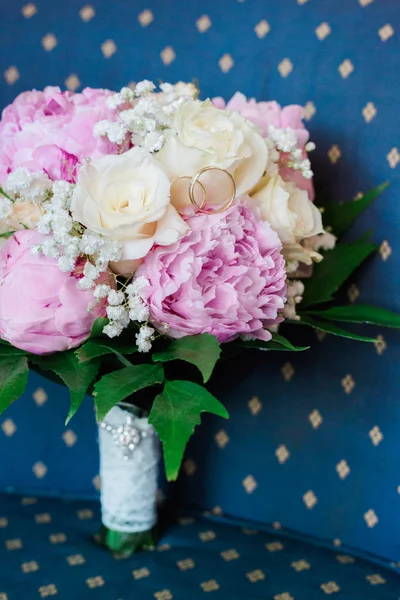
13, 379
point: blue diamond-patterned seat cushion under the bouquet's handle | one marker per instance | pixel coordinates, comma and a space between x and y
47, 549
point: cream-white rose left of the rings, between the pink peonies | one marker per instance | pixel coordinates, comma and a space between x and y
126, 197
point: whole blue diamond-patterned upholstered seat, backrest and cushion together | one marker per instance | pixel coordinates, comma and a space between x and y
310, 455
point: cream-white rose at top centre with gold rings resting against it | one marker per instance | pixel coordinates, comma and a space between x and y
203, 135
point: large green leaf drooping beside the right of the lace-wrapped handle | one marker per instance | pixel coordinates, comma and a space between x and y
175, 414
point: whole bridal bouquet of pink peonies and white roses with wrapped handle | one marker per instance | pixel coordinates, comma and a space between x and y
142, 234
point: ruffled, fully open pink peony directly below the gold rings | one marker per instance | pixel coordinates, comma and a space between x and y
226, 277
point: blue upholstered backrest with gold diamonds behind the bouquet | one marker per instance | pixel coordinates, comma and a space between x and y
313, 439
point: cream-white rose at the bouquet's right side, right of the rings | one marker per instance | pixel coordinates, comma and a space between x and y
290, 213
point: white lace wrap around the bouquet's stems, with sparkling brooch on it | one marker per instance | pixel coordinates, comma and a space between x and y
128, 486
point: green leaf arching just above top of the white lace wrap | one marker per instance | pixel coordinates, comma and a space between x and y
117, 386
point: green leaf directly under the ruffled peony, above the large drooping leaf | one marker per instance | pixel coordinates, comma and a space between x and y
202, 350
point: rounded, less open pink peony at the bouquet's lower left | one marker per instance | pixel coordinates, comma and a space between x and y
41, 309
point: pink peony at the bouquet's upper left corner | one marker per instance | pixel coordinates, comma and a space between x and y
40, 130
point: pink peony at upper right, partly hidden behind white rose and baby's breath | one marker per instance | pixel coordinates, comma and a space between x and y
264, 114
